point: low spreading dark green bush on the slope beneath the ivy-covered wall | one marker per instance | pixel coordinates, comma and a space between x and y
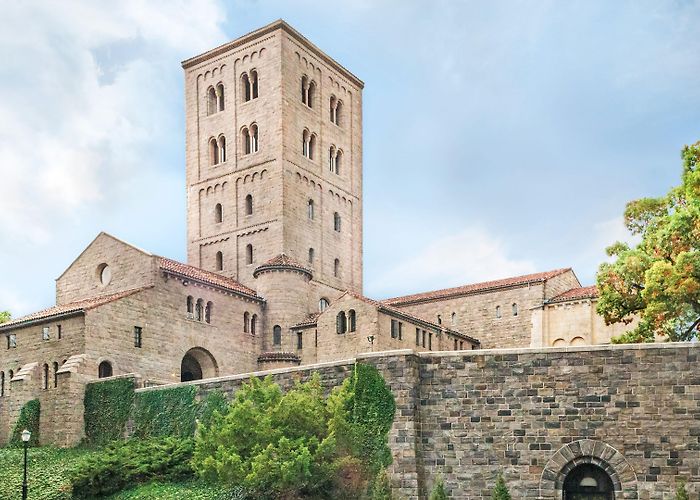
123, 464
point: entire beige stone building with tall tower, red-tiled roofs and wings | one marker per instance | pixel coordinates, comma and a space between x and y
274, 272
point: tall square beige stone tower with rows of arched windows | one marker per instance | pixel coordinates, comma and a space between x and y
274, 158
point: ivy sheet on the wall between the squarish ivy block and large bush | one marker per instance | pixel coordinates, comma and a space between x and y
173, 412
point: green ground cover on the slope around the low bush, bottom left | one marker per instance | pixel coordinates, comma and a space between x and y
49, 469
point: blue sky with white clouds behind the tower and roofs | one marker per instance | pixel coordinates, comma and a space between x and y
500, 138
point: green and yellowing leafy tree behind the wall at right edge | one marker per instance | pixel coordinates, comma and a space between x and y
658, 280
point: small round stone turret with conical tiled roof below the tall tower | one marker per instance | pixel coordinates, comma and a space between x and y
284, 283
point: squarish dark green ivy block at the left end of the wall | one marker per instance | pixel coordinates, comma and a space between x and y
107, 408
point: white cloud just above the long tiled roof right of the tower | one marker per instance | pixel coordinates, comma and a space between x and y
471, 256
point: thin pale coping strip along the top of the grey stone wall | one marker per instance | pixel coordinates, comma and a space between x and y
429, 354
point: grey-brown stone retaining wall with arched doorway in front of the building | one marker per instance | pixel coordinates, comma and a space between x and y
532, 414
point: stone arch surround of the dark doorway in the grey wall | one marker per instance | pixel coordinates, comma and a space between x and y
588, 451
